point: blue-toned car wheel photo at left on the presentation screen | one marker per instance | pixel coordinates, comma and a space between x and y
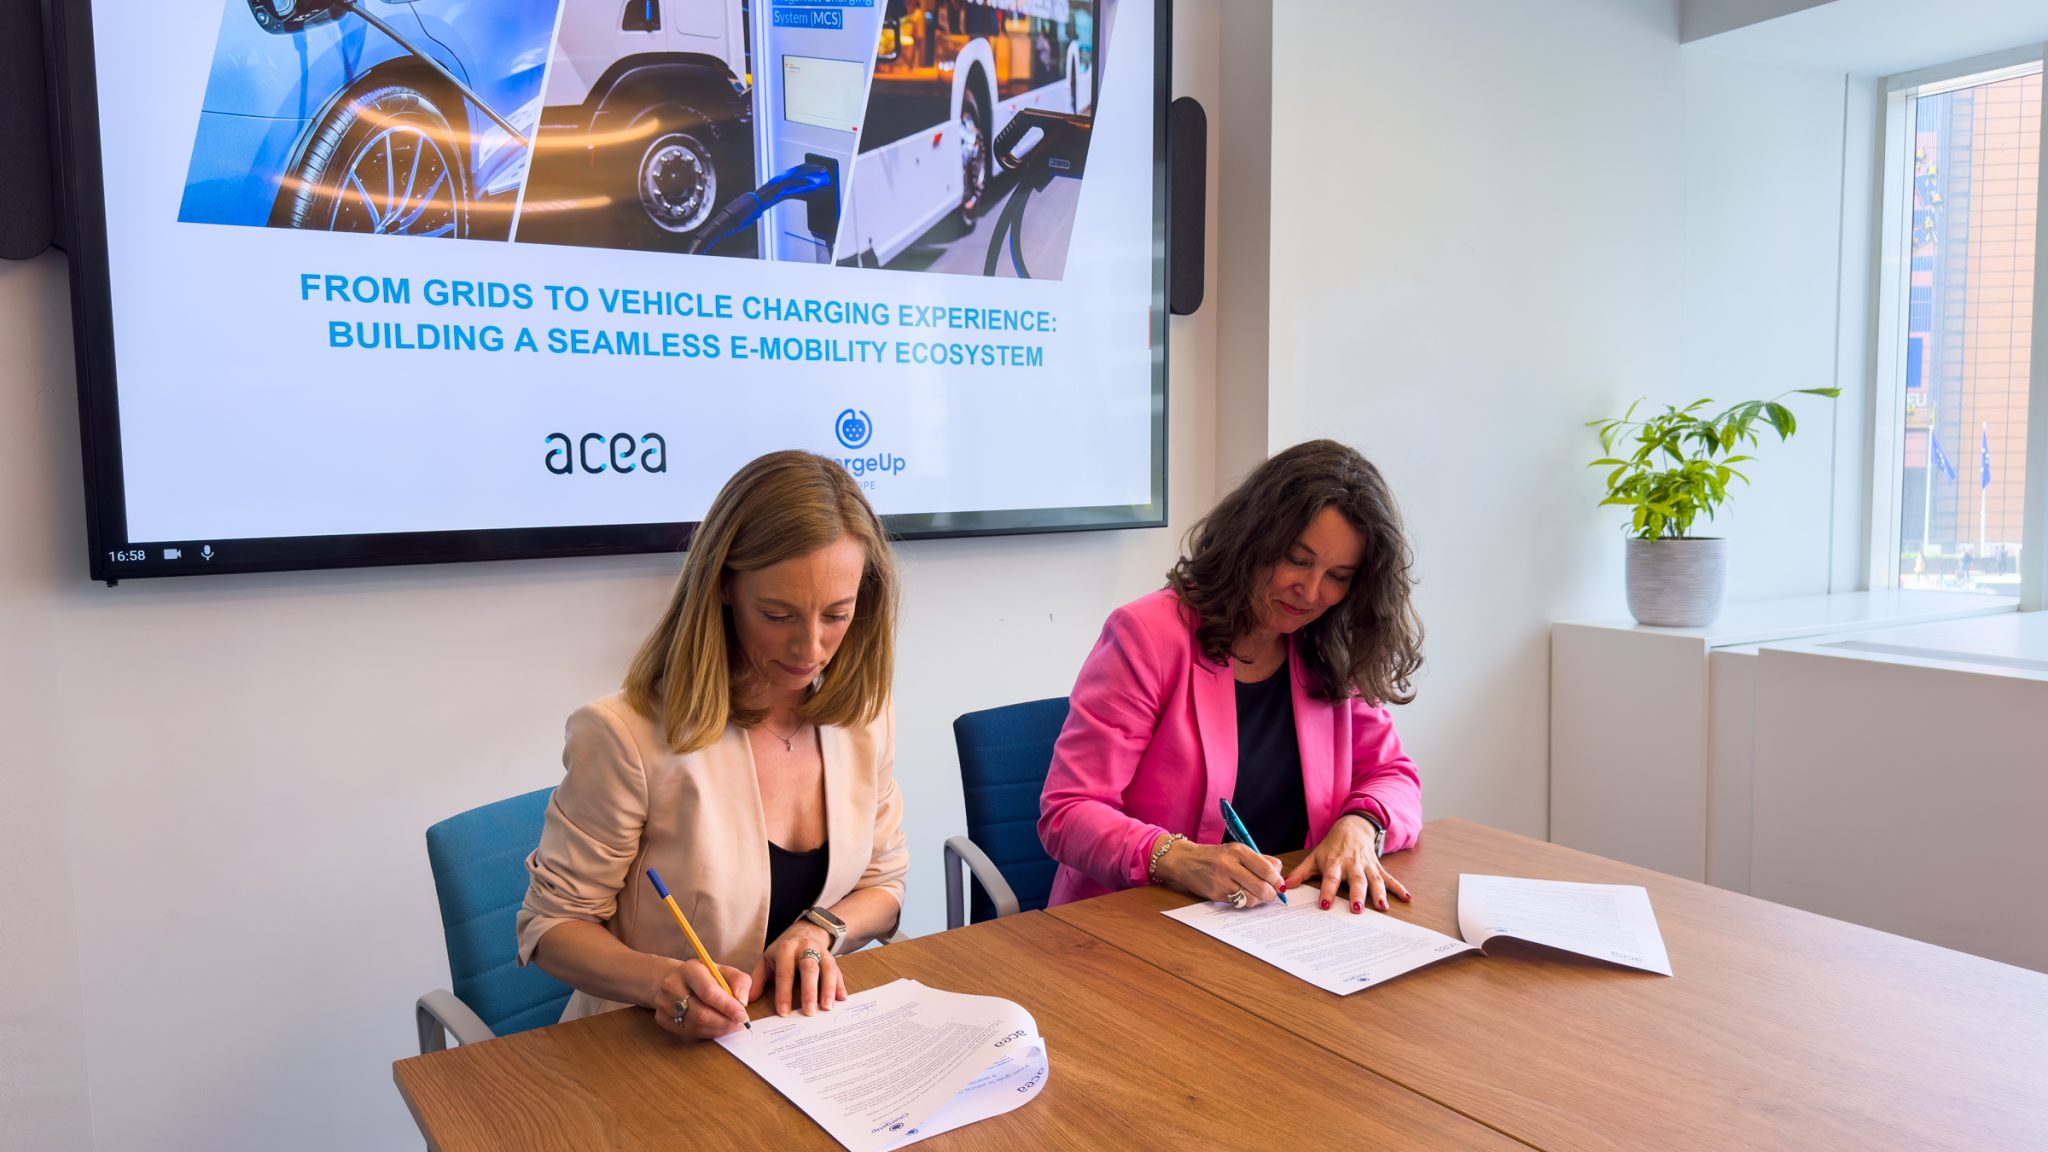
386, 118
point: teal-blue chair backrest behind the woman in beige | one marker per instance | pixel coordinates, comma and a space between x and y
480, 874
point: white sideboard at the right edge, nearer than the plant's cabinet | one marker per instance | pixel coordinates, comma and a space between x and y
1902, 782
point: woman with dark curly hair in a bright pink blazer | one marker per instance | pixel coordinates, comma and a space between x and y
1258, 675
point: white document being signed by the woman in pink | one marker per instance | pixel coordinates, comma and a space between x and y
1336, 950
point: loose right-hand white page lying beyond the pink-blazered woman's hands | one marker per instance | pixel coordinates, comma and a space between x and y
1605, 921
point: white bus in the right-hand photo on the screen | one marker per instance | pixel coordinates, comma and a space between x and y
949, 75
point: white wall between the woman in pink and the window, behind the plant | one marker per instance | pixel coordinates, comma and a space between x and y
1543, 212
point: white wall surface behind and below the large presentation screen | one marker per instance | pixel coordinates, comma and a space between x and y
218, 905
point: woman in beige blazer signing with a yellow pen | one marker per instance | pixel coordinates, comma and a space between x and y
749, 762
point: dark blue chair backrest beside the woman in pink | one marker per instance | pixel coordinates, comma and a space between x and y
1005, 757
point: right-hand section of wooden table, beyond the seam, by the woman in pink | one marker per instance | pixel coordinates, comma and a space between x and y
1779, 1030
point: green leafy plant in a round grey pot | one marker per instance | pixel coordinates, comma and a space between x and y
1680, 466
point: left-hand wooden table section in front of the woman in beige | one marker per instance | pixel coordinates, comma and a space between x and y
1140, 1061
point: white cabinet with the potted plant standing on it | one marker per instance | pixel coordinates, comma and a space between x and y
1652, 727
